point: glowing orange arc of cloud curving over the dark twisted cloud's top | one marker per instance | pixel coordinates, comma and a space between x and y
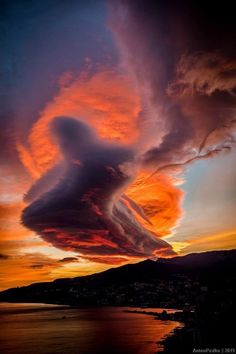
106, 100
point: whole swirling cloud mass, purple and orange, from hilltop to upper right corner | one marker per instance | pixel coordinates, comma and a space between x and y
108, 201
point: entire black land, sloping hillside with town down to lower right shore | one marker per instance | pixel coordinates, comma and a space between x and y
201, 285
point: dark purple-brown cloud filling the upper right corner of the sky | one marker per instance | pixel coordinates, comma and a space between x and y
183, 58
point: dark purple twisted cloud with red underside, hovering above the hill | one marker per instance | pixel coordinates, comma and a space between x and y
86, 210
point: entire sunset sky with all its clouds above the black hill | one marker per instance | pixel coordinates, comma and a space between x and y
118, 131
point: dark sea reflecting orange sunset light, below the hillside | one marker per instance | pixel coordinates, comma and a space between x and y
54, 329
